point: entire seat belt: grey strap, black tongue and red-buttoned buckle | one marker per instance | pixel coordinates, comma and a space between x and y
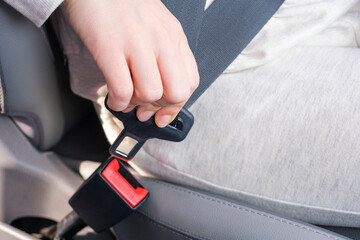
216, 37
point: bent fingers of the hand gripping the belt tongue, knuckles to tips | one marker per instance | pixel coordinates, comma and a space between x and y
158, 86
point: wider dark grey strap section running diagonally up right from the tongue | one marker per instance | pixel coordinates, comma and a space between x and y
227, 28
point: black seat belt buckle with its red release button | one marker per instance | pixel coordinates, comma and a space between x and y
109, 195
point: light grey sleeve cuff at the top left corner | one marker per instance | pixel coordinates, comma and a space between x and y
37, 11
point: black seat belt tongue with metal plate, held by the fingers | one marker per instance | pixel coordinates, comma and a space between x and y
135, 133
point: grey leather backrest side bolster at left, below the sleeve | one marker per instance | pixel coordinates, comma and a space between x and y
29, 75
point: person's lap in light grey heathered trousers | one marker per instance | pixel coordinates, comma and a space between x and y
283, 136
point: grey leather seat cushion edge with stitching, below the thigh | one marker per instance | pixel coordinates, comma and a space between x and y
203, 216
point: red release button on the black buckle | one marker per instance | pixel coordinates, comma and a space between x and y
122, 186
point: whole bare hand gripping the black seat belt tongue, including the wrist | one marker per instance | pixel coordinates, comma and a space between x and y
142, 51
